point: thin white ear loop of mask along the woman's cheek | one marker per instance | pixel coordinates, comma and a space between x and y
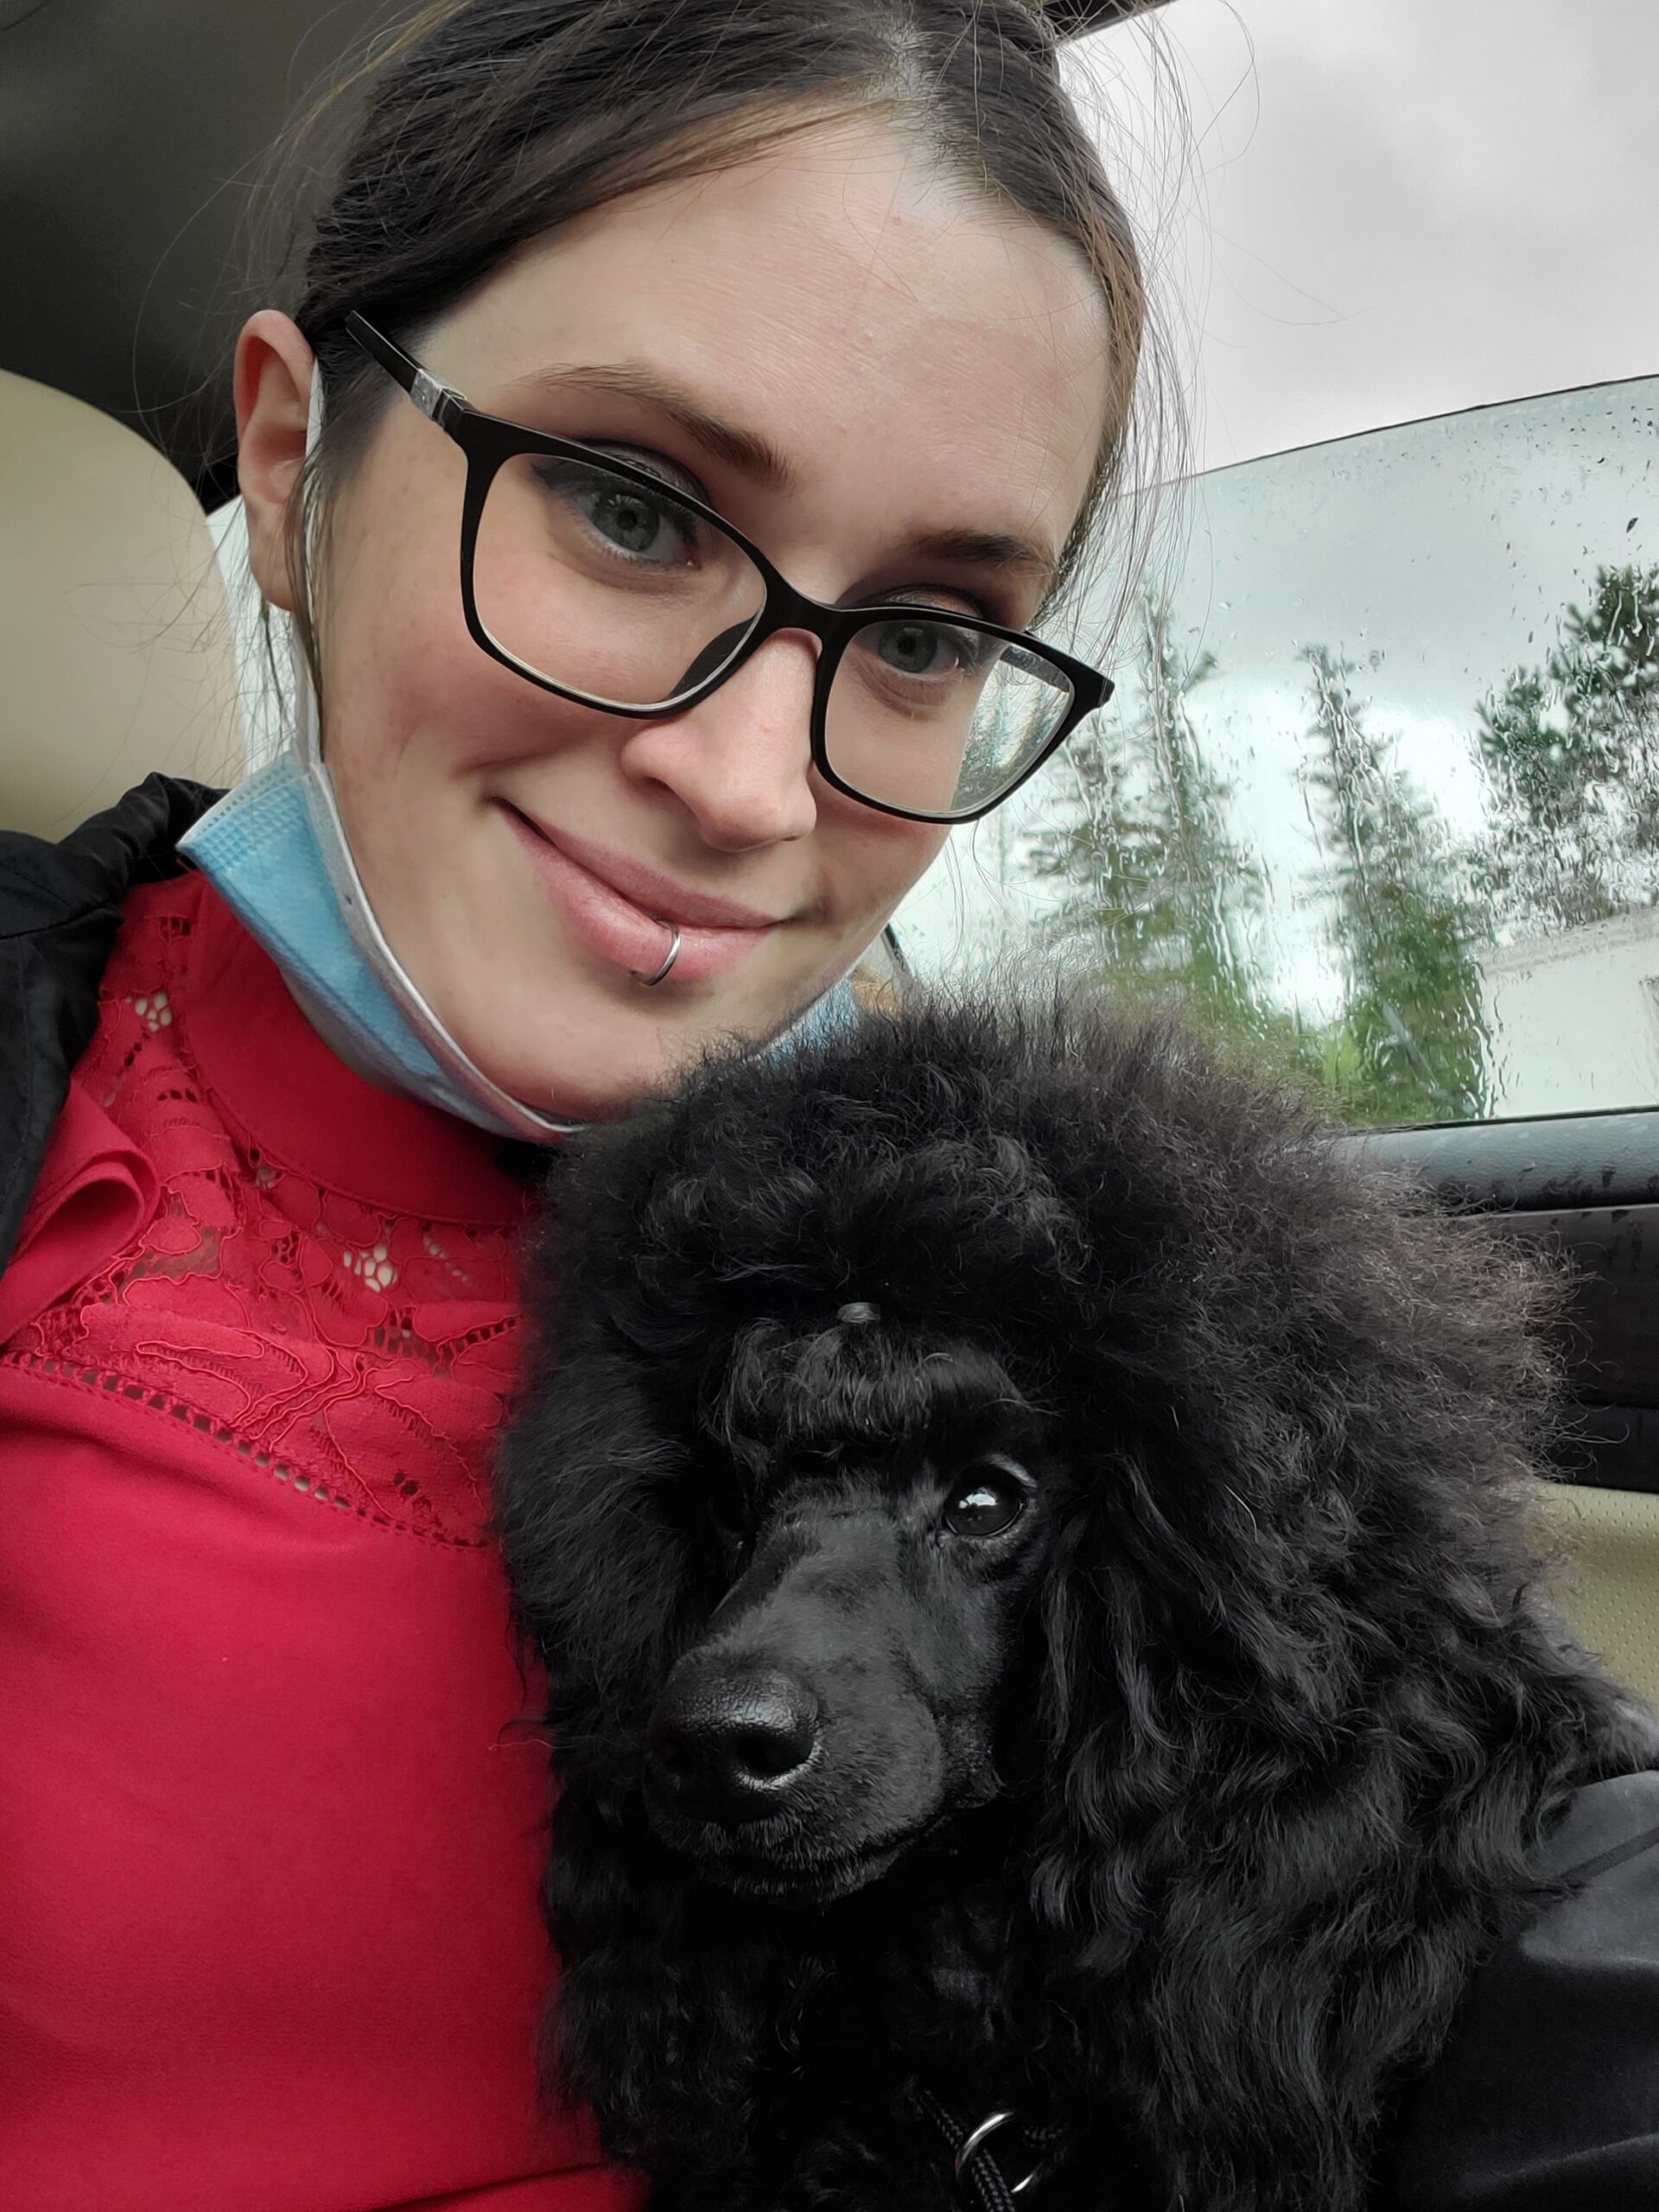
306, 738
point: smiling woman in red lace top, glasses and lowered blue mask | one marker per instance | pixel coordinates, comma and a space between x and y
614, 784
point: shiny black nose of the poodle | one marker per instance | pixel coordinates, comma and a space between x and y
731, 1746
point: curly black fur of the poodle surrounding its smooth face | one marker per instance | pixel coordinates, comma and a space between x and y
1300, 1713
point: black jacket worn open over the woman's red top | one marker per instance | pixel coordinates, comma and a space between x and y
1547, 2098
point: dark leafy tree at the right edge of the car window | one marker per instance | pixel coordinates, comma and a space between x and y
1572, 753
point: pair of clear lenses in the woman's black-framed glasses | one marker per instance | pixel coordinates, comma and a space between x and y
629, 598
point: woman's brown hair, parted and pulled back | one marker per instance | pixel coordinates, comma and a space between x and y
486, 123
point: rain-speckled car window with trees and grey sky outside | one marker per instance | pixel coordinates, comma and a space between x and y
1379, 789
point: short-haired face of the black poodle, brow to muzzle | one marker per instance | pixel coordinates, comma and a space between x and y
857, 1682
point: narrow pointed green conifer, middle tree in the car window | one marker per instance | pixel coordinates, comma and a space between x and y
1412, 1039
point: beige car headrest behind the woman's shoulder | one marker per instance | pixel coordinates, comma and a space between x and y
116, 645
